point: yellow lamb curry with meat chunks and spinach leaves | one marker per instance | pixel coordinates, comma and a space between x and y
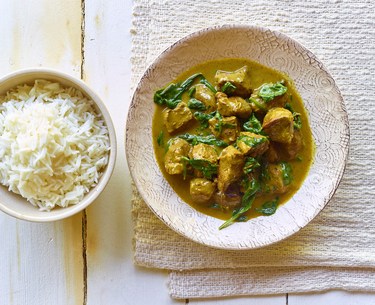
232, 138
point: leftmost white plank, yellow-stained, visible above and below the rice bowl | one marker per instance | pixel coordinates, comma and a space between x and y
41, 263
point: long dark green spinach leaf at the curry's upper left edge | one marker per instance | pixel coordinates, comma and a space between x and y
171, 95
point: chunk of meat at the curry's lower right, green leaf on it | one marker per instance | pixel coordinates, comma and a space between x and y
276, 178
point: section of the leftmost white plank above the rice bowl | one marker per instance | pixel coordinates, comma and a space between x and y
41, 33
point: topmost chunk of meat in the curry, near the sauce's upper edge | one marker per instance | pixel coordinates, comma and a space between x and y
239, 78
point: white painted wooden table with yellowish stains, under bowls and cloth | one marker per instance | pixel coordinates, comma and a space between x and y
87, 259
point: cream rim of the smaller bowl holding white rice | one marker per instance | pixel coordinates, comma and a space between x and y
60, 213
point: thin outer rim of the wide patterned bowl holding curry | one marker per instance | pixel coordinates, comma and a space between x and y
218, 28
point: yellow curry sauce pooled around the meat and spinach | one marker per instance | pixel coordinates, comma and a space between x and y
259, 75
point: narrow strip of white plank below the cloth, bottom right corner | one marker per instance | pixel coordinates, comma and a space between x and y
332, 298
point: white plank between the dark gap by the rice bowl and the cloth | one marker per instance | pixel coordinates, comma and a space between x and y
112, 276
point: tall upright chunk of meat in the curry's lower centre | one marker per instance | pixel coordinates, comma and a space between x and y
231, 162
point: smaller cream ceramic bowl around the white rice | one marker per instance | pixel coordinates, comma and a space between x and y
17, 206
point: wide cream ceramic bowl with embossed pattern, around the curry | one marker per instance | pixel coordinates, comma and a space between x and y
328, 120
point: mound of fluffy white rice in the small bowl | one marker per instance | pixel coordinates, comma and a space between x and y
53, 144
